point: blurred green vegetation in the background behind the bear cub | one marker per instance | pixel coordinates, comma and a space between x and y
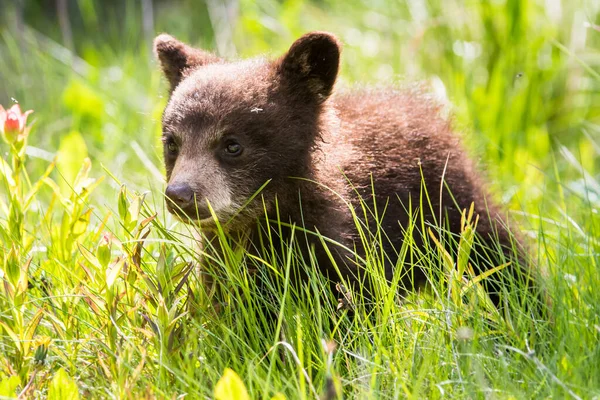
521, 78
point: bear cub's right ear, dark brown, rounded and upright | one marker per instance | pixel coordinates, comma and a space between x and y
312, 63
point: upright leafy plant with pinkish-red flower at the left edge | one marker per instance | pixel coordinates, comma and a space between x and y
15, 252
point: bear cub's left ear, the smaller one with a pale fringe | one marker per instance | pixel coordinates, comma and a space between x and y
177, 58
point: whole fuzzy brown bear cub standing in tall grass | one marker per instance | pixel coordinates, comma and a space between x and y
232, 129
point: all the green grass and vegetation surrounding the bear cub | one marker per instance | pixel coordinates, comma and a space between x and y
99, 297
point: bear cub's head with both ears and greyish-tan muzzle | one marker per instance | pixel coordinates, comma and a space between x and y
232, 129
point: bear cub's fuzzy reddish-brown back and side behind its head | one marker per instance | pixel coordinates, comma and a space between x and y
396, 145
